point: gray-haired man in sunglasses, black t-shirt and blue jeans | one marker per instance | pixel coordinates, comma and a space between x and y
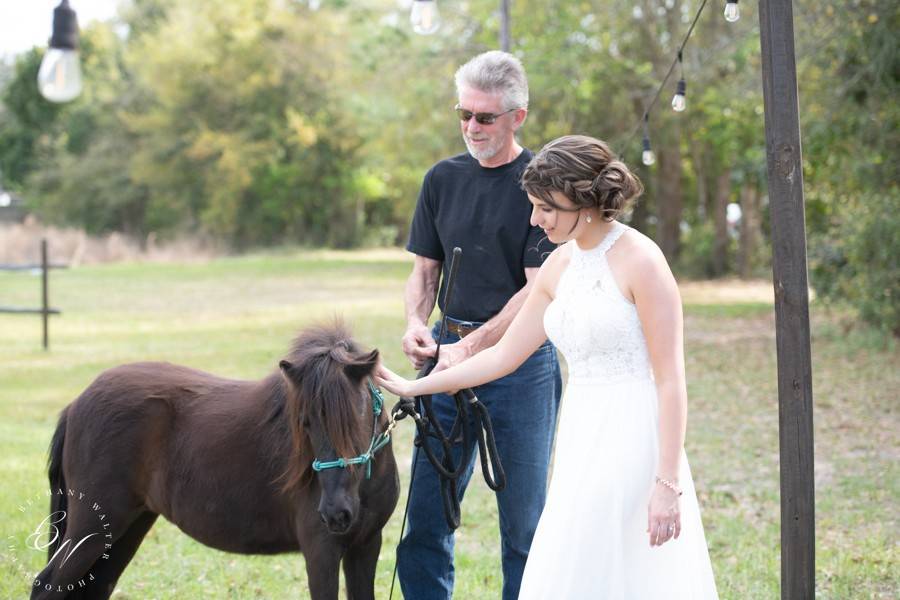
474, 201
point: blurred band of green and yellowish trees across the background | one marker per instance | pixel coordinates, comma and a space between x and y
260, 121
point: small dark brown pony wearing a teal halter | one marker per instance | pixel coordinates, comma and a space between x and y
229, 462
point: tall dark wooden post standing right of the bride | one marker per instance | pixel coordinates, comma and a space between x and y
795, 401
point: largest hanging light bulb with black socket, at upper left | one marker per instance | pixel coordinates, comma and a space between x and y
59, 78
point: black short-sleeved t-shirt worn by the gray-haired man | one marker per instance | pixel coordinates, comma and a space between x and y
486, 213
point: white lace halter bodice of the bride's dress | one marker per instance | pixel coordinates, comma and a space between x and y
592, 323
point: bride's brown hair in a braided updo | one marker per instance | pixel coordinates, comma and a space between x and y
585, 171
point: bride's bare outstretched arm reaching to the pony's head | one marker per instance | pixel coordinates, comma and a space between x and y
524, 335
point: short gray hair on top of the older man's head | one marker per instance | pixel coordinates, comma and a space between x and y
496, 72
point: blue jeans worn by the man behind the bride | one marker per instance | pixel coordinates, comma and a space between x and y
523, 407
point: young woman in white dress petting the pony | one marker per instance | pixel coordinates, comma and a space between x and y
621, 519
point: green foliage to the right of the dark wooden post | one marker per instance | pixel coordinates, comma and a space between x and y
852, 161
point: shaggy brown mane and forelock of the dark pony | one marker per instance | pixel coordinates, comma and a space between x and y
322, 378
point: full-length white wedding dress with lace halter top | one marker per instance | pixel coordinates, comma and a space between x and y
591, 542
